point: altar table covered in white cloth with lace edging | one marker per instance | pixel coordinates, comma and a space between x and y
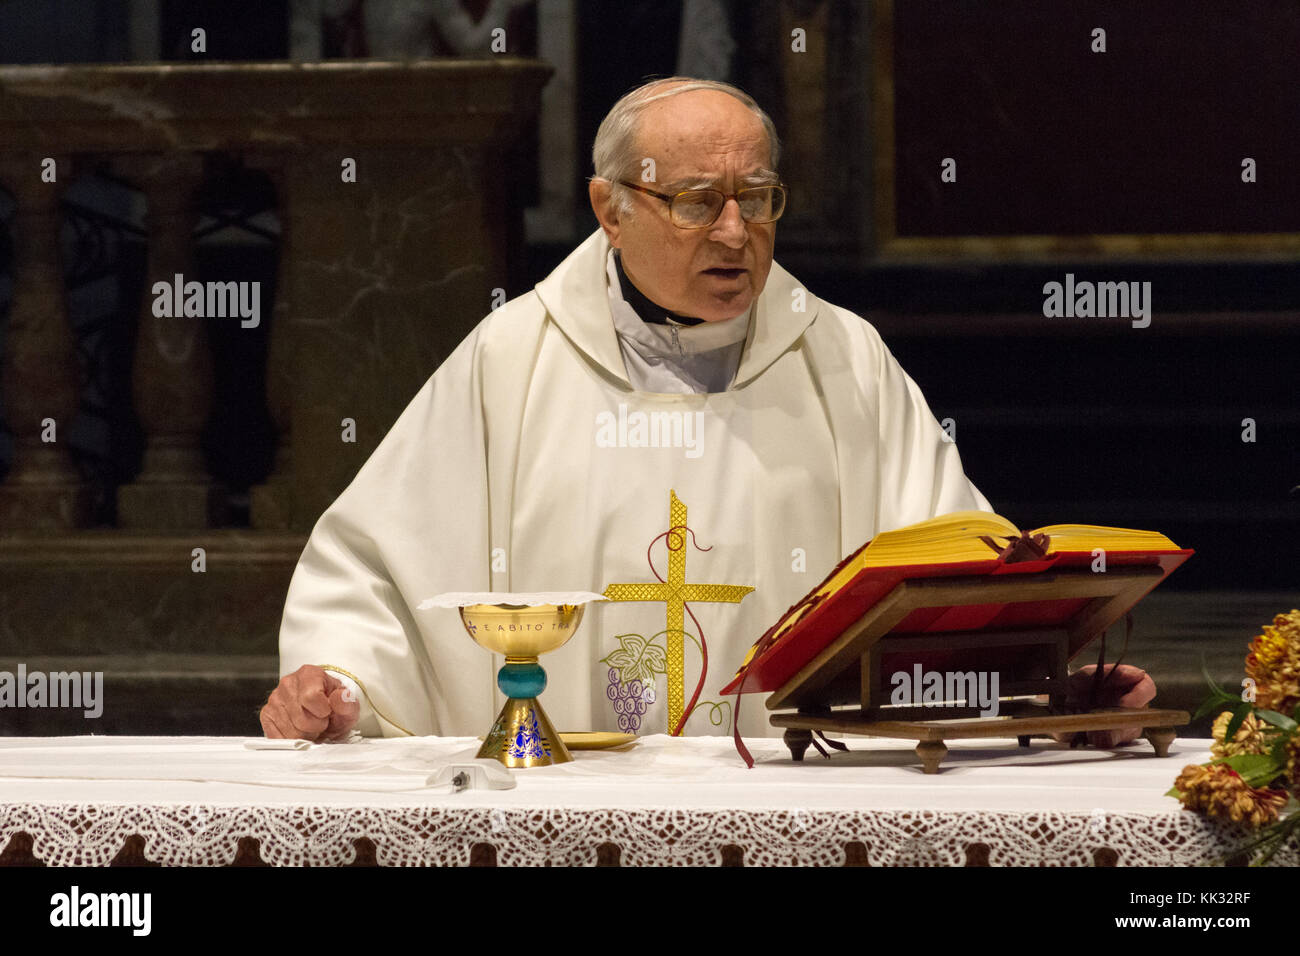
203, 802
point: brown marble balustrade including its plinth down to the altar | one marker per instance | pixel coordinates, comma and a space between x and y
379, 280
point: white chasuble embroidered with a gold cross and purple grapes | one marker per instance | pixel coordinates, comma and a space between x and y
528, 462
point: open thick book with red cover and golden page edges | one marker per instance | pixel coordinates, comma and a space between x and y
963, 543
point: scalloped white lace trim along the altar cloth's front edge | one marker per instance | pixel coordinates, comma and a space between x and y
209, 836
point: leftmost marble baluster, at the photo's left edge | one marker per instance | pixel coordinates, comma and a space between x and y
41, 375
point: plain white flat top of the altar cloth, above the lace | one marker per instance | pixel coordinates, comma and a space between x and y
669, 772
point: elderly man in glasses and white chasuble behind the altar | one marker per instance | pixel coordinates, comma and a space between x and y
670, 405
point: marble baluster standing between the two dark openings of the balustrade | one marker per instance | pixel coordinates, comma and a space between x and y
172, 370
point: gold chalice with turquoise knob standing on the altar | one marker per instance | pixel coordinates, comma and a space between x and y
523, 736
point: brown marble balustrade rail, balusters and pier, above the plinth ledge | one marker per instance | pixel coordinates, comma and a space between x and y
380, 278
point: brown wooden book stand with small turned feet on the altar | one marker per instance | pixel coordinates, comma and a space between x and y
853, 668
